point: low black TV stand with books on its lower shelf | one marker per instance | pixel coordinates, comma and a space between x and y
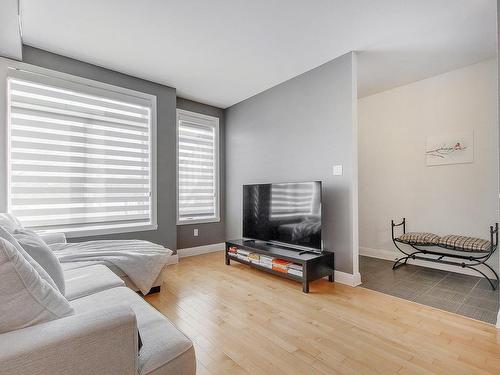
314, 265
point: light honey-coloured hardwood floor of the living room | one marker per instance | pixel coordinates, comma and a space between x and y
244, 321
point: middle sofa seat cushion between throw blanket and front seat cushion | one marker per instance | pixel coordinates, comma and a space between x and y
81, 282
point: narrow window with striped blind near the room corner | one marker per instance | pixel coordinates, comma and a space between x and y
197, 168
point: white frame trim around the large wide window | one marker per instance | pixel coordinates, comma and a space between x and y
15, 69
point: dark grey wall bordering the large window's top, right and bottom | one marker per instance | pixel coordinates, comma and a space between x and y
166, 143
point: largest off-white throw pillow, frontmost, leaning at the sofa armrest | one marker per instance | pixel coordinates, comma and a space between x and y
25, 298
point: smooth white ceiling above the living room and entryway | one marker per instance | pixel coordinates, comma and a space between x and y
221, 52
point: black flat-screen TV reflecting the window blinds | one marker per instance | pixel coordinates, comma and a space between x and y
288, 213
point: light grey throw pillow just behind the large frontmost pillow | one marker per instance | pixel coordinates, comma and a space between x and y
42, 254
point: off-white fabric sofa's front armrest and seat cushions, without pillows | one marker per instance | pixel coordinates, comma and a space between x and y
101, 337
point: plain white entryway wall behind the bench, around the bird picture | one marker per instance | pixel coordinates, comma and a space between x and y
394, 181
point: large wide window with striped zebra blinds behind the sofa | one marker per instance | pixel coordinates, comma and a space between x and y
80, 155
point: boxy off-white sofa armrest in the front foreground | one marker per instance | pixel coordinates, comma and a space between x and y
100, 342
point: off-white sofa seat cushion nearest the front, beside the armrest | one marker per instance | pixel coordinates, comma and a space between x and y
162, 342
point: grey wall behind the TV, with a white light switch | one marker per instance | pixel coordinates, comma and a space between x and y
297, 131
